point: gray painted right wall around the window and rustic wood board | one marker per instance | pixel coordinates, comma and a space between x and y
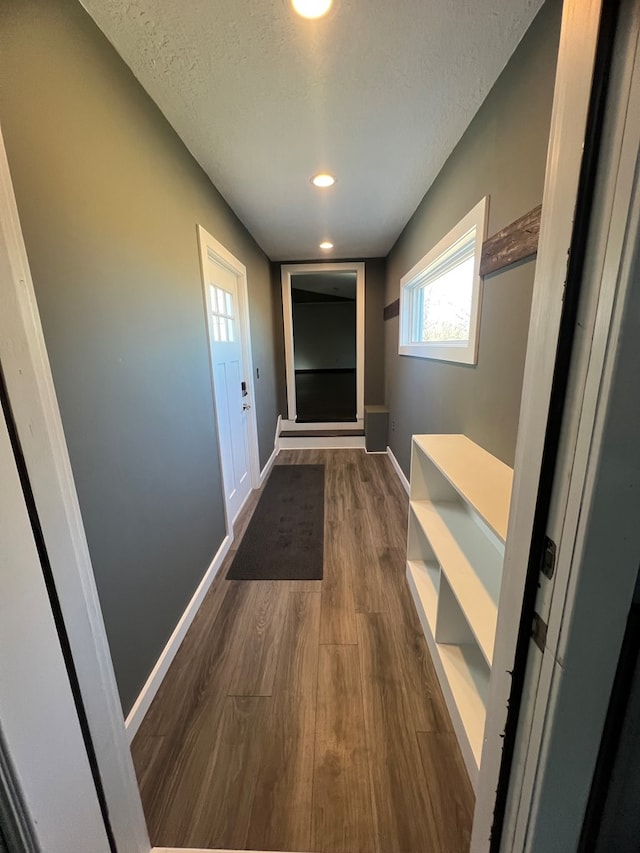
502, 155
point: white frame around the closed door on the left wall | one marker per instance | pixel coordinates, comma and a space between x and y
212, 250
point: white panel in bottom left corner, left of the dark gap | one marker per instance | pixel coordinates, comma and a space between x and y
39, 726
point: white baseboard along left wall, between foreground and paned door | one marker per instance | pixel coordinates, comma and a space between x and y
152, 684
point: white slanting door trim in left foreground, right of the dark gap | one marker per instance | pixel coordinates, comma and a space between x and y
34, 405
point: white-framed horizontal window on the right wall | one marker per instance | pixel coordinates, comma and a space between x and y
440, 297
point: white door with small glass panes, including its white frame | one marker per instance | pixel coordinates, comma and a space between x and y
224, 281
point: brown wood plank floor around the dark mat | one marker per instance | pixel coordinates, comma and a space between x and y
306, 716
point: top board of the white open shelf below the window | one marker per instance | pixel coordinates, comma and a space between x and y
483, 481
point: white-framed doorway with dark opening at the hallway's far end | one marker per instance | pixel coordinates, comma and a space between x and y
323, 306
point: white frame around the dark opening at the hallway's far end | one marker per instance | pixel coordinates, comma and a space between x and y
286, 271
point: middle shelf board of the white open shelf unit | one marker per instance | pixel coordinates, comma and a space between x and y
457, 541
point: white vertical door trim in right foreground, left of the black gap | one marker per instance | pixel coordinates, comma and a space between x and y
572, 94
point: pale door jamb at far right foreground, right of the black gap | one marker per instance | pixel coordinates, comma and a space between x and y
598, 477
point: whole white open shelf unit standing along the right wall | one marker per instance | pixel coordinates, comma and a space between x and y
459, 509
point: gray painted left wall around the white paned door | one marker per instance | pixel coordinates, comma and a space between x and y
109, 199
